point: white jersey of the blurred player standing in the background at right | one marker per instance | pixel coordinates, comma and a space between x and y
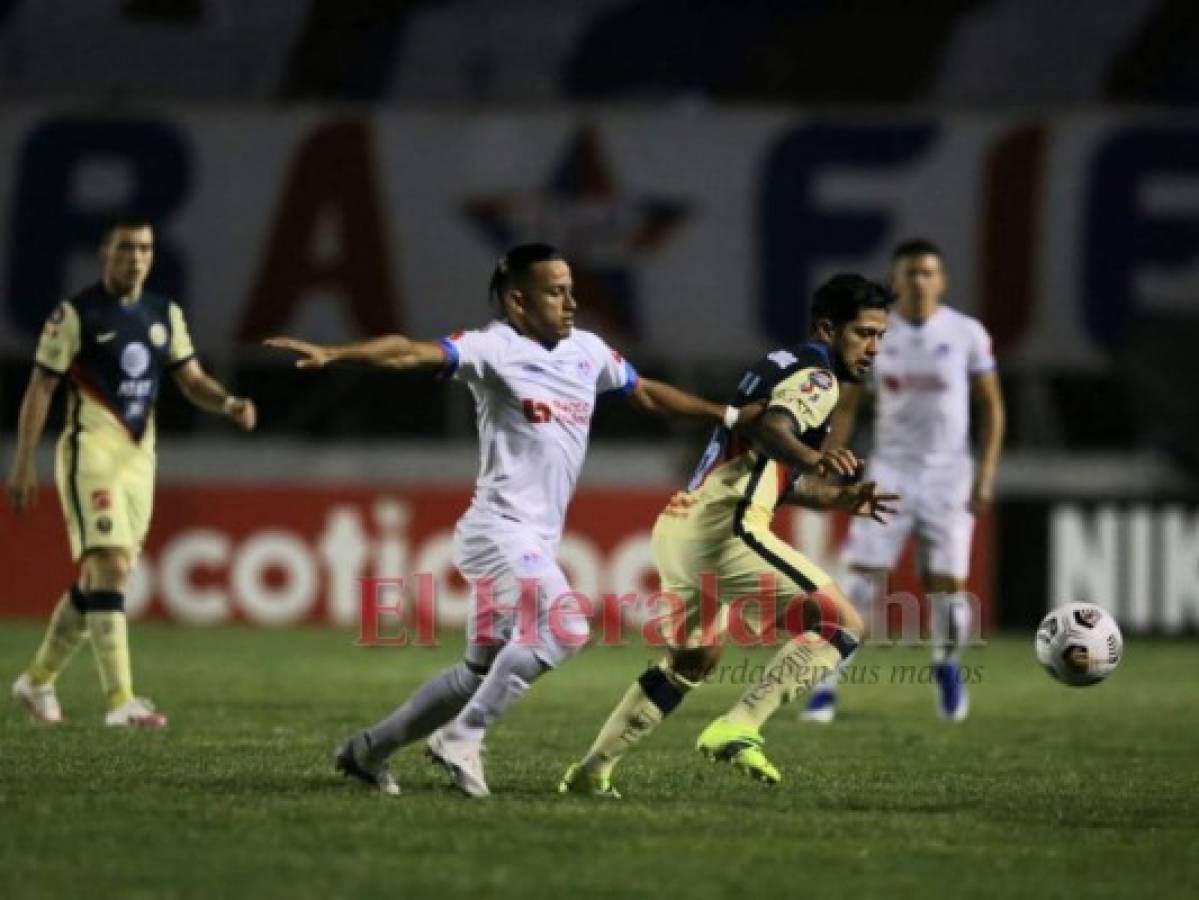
923, 379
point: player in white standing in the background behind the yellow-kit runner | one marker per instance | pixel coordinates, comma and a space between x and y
935, 363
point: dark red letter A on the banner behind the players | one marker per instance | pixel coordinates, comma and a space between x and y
330, 186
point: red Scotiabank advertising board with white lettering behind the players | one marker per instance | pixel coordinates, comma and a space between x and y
287, 555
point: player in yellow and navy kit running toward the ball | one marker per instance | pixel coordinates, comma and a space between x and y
715, 537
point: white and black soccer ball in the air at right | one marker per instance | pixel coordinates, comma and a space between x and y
1080, 644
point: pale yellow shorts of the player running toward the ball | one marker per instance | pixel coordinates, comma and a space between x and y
749, 567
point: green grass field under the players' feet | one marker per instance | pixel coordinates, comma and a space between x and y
1046, 792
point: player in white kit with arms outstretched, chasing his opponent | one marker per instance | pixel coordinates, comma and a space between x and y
535, 379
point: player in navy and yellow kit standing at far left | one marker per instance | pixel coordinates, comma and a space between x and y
112, 342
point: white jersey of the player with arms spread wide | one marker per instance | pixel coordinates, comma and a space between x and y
534, 407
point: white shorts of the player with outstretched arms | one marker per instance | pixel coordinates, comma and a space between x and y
519, 591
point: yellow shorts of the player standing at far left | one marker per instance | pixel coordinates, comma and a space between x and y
106, 487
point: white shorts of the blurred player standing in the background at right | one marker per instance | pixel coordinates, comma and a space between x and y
935, 502
